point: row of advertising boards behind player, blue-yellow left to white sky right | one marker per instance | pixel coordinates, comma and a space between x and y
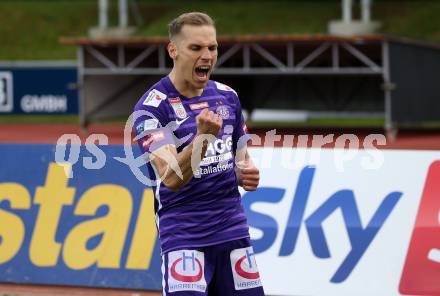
323, 221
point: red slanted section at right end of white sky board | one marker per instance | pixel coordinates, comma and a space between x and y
421, 273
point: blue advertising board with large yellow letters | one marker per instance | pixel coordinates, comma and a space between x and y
94, 228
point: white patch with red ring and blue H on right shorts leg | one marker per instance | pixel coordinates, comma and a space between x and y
244, 269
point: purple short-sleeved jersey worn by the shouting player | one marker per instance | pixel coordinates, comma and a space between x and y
208, 209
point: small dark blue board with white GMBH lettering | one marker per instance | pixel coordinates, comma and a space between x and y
38, 90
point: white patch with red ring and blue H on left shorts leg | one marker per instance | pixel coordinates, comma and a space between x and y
186, 271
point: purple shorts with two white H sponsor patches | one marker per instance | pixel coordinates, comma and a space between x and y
227, 269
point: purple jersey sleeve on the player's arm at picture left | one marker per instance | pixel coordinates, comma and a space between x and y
150, 128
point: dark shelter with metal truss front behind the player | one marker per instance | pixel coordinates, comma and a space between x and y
310, 75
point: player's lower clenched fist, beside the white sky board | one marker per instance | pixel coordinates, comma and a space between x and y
248, 175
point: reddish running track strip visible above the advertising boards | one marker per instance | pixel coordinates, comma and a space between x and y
49, 134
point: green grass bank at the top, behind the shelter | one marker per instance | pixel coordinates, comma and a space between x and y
30, 29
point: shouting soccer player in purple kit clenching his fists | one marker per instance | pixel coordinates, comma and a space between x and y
193, 131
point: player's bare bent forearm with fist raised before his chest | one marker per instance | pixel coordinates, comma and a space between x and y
176, 169
